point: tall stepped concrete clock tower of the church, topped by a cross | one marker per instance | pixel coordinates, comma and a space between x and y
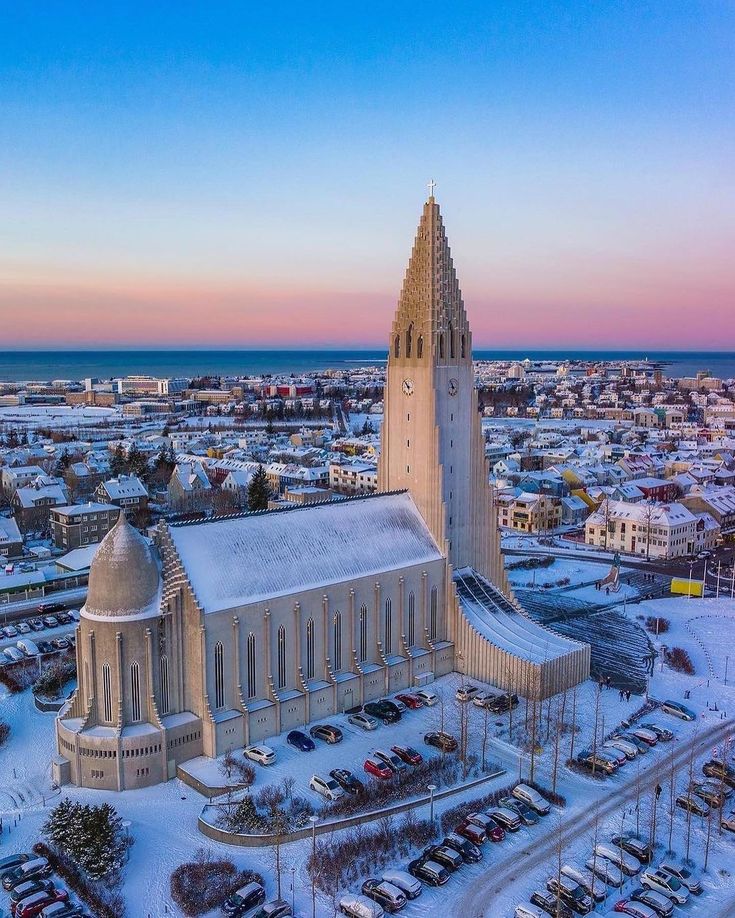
432, 440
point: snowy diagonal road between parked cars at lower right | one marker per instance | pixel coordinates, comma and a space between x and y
476, 899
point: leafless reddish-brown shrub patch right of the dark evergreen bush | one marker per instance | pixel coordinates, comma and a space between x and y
204, 884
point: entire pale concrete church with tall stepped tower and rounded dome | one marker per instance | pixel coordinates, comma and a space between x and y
225, 632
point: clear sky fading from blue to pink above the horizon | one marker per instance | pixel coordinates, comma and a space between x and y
251, 175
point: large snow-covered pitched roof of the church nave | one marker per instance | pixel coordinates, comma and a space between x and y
244, 559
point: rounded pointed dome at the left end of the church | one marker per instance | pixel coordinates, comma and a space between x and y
124, 578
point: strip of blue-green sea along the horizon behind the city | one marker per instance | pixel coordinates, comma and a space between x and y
46, 365
